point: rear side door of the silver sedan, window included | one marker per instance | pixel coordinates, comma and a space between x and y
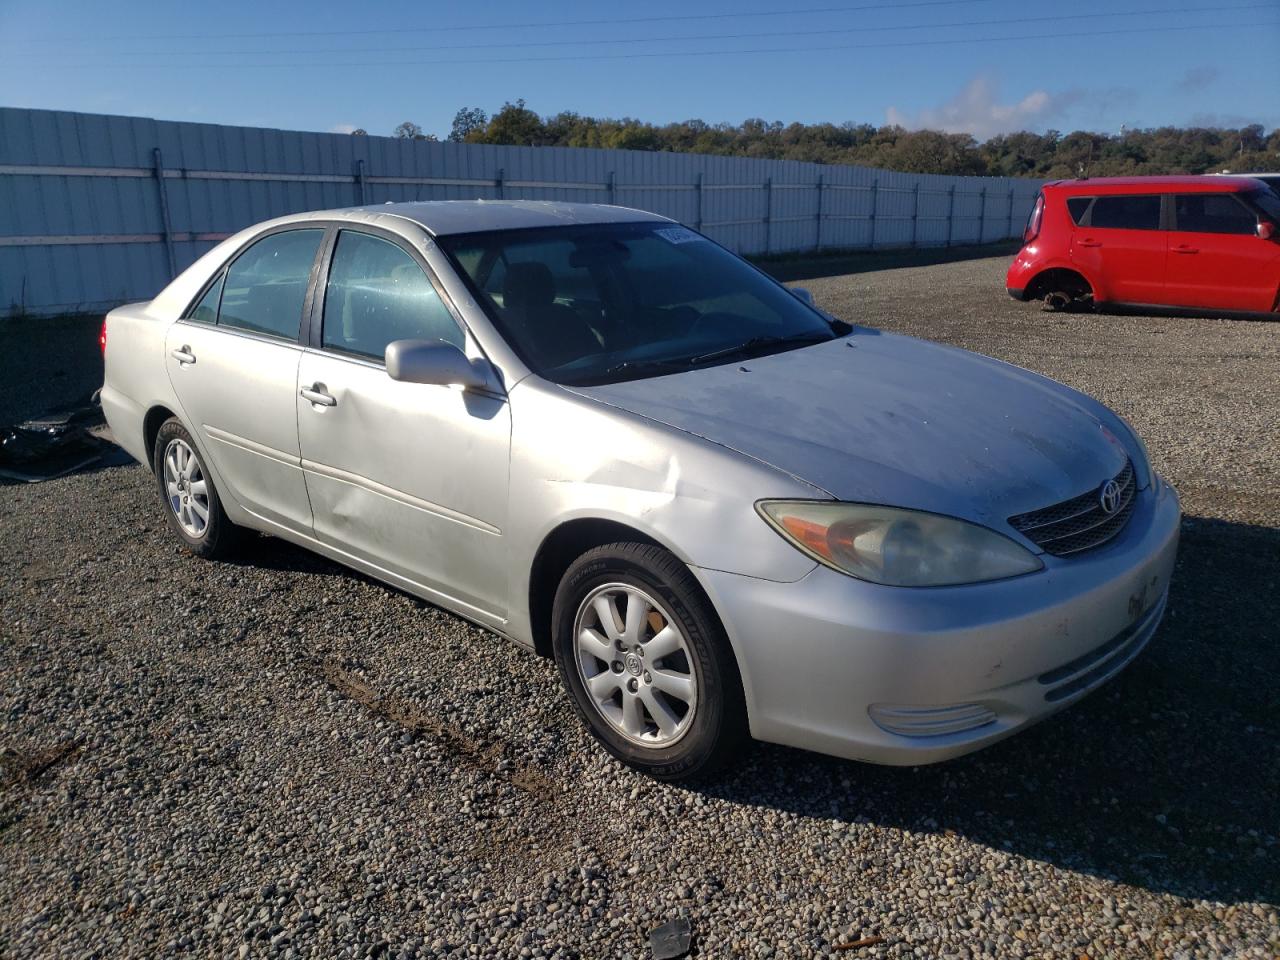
234, 363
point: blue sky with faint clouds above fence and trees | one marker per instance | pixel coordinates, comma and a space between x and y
326, 66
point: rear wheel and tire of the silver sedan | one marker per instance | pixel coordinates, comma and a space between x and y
186, 490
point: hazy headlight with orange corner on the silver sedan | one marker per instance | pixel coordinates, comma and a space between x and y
898, 547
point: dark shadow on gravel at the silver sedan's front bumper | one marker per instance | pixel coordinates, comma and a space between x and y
1165, 779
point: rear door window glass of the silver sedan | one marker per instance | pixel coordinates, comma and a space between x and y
267, 285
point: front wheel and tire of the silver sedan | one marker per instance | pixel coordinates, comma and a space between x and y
691, 679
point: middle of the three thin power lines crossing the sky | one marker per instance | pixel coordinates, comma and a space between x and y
829, 31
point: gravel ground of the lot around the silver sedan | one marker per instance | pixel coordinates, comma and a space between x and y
282, 758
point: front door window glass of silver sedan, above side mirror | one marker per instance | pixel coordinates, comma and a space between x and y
377, 295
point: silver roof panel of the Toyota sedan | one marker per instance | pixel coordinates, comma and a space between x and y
449, 217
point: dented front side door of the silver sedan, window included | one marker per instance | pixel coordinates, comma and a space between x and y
409, 478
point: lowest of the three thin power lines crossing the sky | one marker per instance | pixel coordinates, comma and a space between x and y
949, 42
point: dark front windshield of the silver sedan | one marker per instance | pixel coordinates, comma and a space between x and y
598, 304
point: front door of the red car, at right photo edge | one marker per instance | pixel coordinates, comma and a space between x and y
1215, 257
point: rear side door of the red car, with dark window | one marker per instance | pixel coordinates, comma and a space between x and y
1121, 244
